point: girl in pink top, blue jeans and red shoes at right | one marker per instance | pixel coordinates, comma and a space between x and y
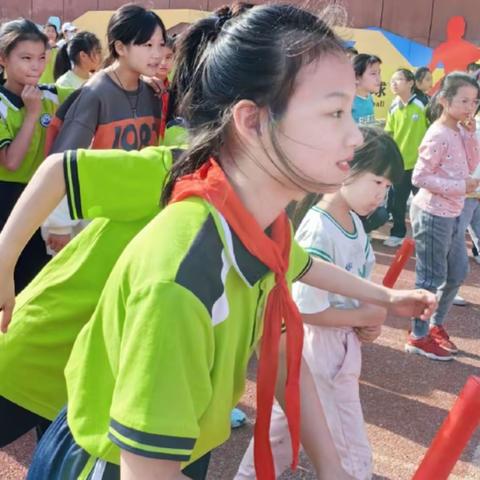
448, 155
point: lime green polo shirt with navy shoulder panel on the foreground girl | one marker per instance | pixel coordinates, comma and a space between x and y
170, 339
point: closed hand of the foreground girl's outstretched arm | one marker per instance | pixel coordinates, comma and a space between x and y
412, 303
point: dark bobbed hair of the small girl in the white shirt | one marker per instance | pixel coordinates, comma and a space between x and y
379, 154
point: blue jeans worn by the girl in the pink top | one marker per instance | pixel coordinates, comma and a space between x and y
442, 261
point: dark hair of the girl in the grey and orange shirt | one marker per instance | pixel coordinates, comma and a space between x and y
131, 24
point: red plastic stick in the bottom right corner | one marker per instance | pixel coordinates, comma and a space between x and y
453, 435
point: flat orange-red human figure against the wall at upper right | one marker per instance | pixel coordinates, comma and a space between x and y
455, 53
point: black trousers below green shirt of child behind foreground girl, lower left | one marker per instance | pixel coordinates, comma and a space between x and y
15, 421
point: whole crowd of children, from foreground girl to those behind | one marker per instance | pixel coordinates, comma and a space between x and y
135, 338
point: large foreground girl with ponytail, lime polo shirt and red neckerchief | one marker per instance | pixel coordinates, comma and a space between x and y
154, 374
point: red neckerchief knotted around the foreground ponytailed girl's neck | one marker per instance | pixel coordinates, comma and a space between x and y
209, 182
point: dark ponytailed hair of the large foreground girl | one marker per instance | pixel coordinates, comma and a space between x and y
247, 53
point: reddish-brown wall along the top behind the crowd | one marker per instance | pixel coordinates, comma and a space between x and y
421, 20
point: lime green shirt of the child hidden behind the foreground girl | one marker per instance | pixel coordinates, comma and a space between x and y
124, 187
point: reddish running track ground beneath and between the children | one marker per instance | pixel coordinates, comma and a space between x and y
405, 397
